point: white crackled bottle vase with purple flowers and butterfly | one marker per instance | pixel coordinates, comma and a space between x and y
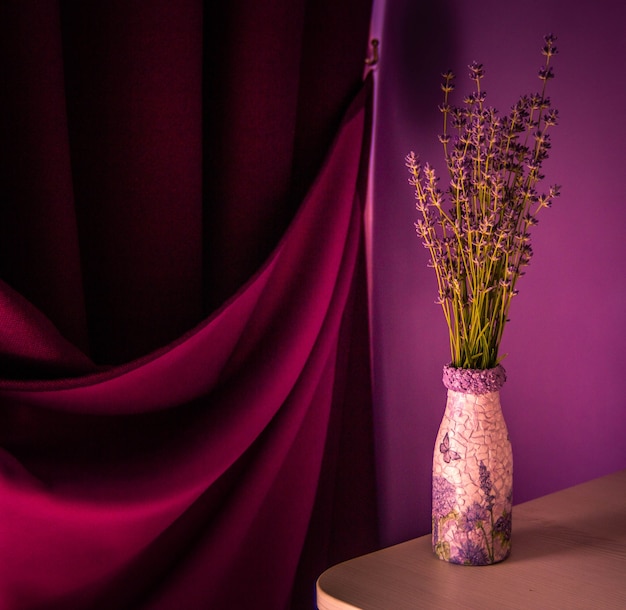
472, 471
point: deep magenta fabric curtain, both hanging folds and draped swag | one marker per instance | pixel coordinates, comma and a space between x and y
185, 412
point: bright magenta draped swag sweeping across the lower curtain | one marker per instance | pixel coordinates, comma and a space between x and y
196, 468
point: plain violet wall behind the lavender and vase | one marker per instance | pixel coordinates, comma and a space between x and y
564, 398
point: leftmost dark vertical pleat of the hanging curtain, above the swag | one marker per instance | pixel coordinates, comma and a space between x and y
39, 245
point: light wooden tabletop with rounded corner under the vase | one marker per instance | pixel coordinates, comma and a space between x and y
569, 552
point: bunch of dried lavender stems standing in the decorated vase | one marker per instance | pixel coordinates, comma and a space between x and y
477, 231
